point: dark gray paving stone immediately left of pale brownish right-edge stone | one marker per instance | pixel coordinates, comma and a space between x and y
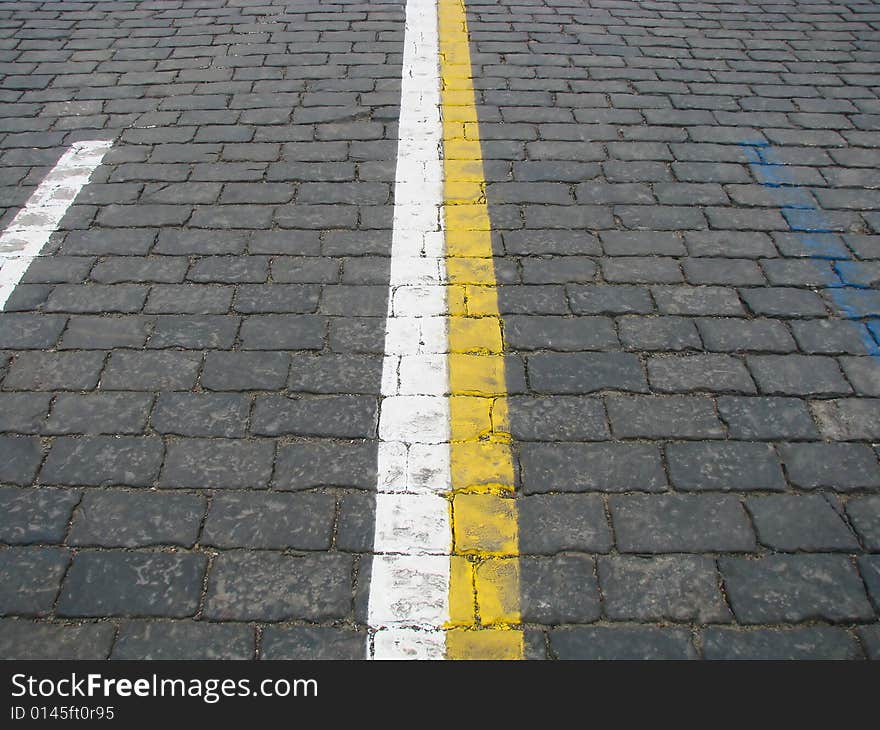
769, 419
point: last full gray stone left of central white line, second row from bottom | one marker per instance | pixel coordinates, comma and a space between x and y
270, 587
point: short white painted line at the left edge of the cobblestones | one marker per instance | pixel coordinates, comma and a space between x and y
30, 230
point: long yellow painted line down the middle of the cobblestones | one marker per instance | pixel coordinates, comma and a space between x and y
484, 598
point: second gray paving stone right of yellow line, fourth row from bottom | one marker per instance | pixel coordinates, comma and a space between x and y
724, 466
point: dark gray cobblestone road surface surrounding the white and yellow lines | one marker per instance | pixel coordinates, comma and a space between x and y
685, 200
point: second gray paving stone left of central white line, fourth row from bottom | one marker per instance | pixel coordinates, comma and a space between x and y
217, 464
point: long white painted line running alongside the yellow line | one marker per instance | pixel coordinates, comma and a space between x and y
409, 585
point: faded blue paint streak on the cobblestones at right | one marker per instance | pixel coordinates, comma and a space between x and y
852, 298
